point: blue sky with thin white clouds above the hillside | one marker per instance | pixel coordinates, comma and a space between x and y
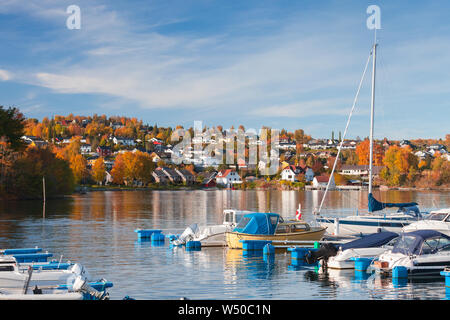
284, 64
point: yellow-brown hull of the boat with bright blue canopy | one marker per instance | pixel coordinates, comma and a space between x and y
233, 238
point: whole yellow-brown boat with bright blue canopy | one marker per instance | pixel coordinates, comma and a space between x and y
271, 227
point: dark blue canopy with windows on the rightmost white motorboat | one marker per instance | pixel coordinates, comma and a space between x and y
411, 242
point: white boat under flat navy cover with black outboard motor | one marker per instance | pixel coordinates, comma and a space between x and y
341, 256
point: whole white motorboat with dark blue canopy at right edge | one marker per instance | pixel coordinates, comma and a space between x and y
422, 253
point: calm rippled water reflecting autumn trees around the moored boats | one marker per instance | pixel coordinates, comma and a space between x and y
97, 230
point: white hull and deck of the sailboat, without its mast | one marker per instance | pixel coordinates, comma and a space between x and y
363, 224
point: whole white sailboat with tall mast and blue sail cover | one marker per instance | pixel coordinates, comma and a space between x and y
372, 222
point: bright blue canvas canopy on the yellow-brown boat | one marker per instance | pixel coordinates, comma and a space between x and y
258, 223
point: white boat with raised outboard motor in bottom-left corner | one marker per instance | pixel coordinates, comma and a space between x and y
13, 275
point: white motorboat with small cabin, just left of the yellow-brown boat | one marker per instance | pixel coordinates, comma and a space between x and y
214, 235
